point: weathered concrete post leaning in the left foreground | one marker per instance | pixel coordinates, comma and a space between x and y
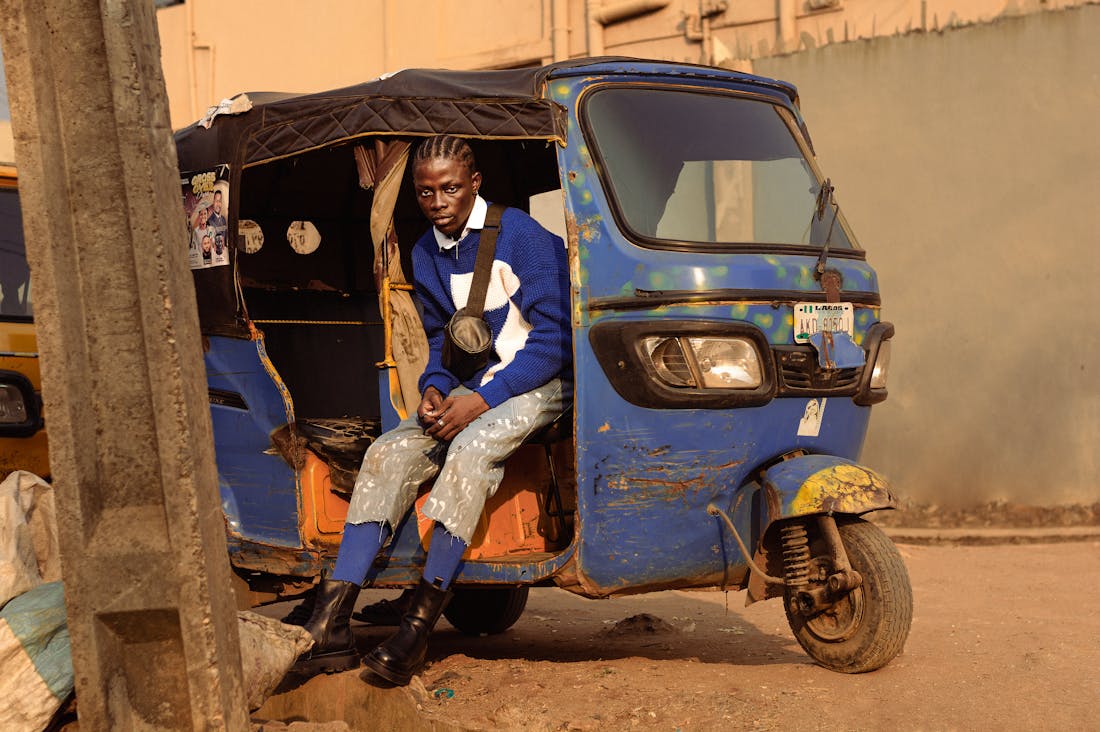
147, 578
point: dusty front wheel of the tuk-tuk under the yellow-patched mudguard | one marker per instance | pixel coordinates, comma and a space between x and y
867, 628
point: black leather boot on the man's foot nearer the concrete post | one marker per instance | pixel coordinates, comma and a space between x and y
334, 644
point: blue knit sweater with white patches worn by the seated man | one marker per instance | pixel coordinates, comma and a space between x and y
527, 308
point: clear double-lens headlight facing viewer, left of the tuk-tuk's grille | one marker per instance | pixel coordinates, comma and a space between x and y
706, 363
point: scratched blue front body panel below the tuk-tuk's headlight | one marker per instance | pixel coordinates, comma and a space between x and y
645, 477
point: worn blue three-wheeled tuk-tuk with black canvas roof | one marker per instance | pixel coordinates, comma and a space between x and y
728, 341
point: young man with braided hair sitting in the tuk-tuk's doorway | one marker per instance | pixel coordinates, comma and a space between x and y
463, 432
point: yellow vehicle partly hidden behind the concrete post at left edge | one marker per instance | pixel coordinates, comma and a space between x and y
23, 432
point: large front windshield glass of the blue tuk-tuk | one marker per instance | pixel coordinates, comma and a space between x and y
709, 169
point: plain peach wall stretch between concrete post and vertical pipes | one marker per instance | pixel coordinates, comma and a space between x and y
287, 46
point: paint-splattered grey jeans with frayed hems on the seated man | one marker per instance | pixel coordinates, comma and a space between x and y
468, 471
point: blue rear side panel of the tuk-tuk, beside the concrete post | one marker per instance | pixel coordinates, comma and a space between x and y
259, 491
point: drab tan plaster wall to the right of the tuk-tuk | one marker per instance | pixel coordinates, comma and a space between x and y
969, 165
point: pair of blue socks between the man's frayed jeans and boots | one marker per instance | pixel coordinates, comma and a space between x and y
362, 543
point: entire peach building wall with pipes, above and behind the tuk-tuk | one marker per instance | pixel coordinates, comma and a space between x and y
215, 49
